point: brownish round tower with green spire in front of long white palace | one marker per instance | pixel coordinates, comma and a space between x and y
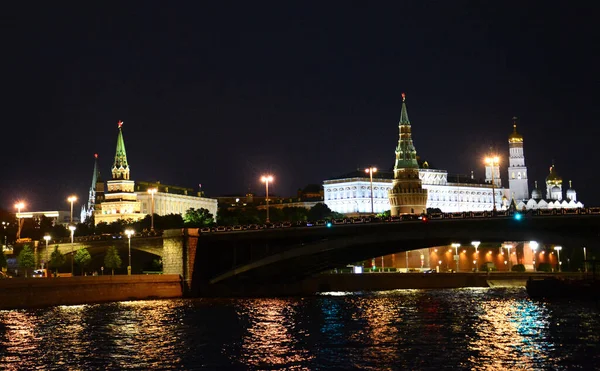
407, 195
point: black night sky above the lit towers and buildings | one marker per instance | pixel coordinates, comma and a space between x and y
220, 93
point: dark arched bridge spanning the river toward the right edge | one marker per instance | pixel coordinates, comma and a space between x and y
289, 255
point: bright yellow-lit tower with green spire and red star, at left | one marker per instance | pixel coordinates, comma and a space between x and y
120, 200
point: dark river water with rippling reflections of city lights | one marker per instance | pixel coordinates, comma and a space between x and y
464, 329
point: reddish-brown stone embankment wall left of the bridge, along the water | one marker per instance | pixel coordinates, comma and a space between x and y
25, 293
